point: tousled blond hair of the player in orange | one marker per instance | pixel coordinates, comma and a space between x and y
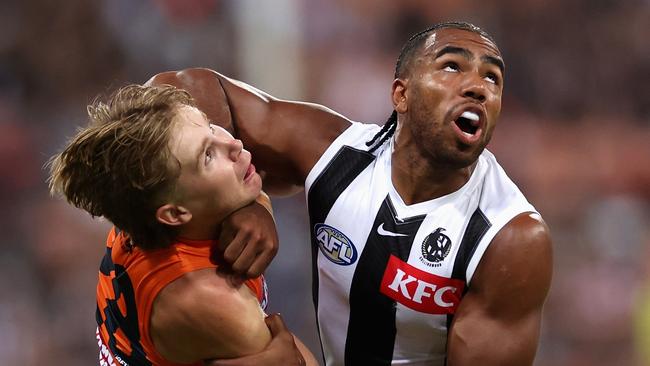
120, 166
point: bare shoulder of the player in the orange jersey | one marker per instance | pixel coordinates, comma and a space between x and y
204, 314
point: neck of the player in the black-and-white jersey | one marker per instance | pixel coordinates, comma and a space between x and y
418, 178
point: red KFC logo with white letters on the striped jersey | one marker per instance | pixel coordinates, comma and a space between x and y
420, 290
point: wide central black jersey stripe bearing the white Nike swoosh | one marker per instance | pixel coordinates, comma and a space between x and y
371, 329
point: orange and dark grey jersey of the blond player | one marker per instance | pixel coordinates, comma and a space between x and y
129, 280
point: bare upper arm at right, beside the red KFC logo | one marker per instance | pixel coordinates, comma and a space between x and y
498, 321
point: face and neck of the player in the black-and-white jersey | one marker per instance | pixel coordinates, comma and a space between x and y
450, 76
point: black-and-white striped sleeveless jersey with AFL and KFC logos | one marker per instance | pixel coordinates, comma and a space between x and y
388, 276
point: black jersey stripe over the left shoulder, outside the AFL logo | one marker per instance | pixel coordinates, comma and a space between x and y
346, 165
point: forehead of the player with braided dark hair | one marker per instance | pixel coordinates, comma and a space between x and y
461, 38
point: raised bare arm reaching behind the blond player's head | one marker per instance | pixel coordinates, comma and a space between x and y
286, 138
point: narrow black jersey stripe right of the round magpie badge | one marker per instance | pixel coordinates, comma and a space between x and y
476, 227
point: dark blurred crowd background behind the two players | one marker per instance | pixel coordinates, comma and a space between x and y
574, 135
